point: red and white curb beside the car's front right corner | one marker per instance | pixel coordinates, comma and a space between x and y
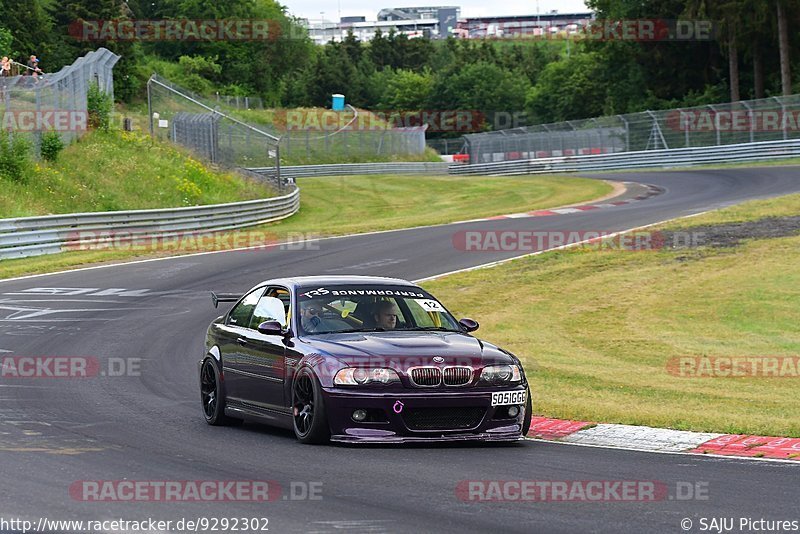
664, 440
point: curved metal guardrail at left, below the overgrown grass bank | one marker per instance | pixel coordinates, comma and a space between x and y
49, 234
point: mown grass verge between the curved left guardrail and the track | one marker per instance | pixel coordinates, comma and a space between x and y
354, 204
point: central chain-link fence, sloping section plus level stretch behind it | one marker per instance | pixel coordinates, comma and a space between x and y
295, 137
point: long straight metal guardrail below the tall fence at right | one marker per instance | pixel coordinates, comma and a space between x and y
680, 157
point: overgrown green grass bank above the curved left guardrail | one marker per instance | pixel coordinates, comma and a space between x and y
119, 171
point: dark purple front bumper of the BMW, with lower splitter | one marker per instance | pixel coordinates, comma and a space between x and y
401, 424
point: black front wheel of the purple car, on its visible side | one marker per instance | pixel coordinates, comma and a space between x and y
310, 421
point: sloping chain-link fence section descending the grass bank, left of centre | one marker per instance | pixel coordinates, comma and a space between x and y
187, 119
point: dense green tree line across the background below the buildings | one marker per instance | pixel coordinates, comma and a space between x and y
753, 54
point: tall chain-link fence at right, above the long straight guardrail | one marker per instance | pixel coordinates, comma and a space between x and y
768, 119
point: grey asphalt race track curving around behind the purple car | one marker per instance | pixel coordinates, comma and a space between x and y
55, 432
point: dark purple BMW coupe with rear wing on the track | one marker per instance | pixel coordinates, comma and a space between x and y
359, 359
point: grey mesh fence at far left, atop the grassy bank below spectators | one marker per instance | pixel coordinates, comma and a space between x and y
33, 104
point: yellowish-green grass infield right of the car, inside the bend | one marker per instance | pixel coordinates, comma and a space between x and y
596, 328
